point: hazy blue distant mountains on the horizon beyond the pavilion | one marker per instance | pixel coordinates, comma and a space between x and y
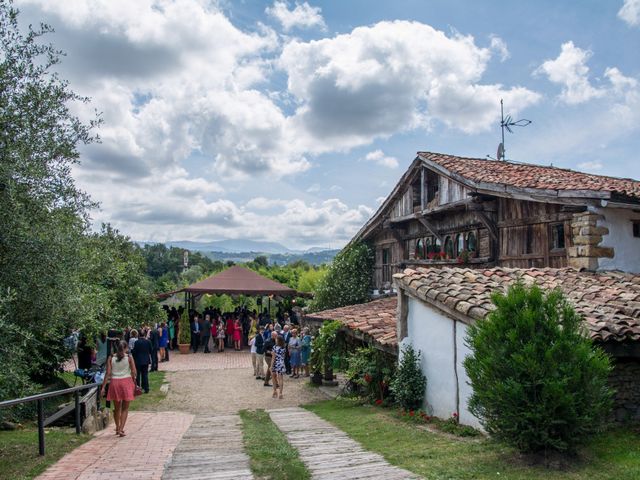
246, 250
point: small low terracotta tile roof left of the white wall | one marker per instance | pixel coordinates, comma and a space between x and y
375, 319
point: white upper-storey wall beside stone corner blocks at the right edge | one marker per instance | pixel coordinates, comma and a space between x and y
626, 247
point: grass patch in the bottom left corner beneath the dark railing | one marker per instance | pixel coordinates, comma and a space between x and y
19, 459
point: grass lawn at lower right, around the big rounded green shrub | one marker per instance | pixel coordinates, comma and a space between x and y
611, 455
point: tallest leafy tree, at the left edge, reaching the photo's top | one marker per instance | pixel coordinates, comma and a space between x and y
43, 215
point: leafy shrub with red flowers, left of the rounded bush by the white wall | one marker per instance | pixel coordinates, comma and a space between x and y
370, 372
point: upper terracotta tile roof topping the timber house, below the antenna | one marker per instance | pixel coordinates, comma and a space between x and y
524, 175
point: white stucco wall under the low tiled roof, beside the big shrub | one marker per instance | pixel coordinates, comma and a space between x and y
432, 333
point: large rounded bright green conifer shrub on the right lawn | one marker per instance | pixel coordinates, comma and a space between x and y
538, 382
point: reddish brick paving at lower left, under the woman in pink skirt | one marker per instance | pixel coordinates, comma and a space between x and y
142, 454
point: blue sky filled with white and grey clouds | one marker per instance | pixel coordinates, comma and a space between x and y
291, 121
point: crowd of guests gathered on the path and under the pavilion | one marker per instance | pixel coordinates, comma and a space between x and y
278, 348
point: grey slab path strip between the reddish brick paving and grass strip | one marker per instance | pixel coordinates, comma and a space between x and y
211, 449
